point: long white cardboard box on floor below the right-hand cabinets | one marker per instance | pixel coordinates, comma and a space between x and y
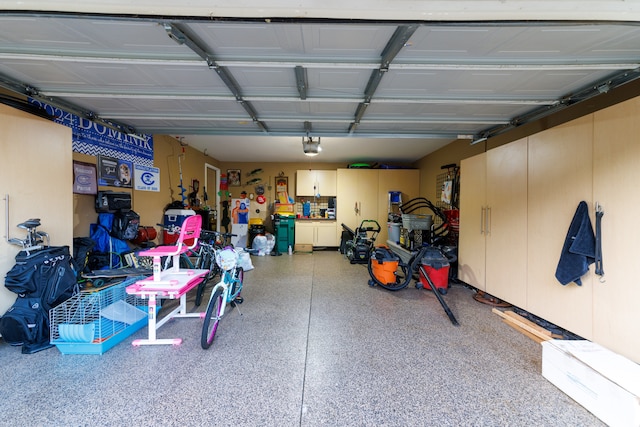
605, 383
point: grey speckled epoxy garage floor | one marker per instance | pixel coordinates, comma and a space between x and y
314, 346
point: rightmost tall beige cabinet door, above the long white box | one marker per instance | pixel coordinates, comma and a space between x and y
616, 173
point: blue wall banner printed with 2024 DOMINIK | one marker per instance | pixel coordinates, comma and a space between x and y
98, 140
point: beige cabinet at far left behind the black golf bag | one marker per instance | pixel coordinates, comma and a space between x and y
36, 174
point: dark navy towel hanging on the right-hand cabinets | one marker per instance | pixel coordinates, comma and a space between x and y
579, 249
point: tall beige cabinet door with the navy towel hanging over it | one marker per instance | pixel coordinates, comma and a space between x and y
560, 176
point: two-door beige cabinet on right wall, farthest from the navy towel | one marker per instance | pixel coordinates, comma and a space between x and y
493, 239
